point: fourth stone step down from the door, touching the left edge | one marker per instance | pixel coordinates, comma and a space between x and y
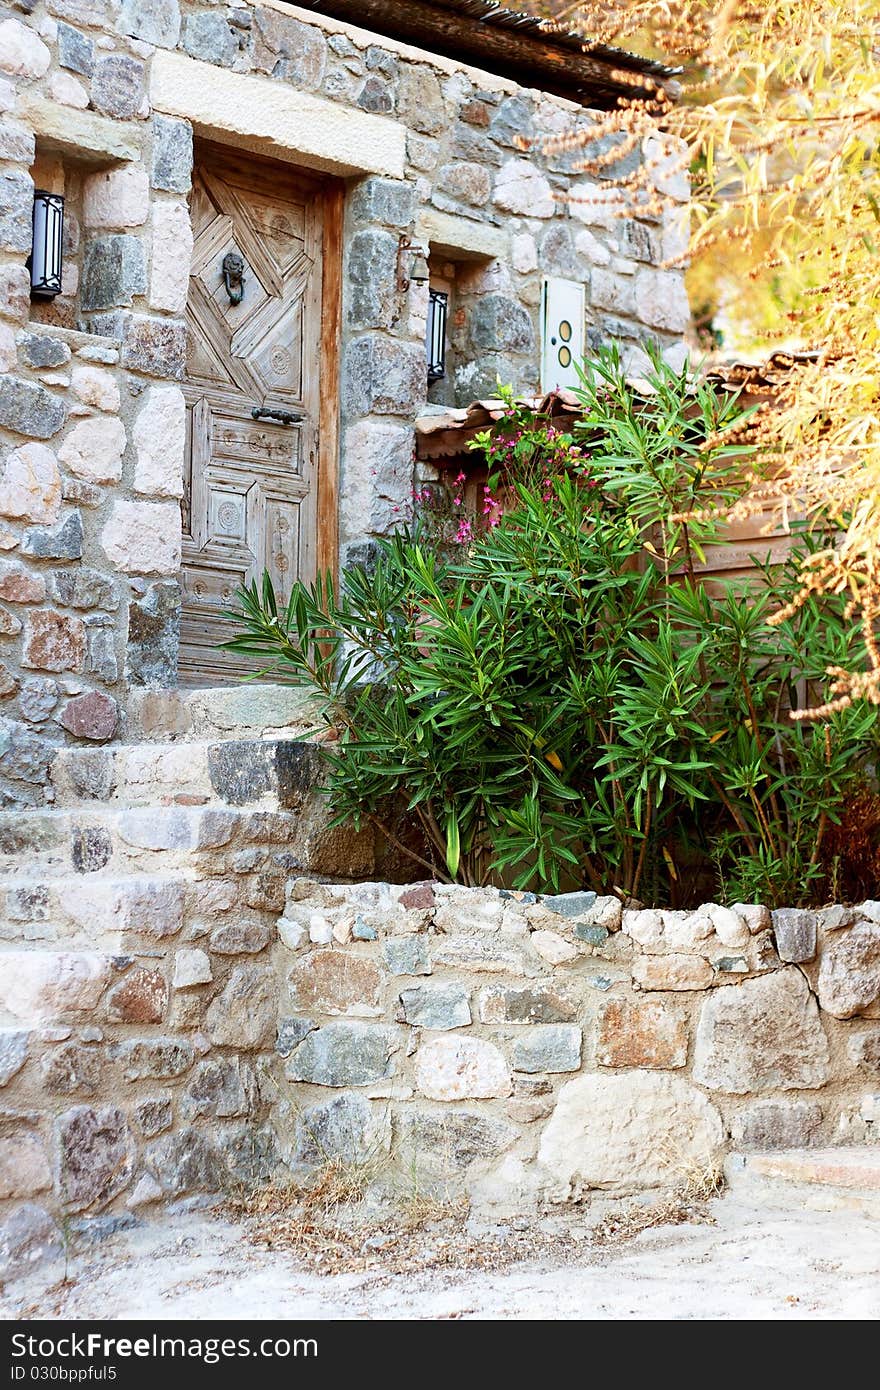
80, 913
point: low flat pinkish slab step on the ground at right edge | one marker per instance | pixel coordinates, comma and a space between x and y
821, 1179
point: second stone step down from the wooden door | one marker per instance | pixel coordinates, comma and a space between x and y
234, 772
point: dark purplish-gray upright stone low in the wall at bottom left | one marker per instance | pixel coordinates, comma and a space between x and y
97, 1156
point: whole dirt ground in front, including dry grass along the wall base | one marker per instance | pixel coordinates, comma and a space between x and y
733, 1261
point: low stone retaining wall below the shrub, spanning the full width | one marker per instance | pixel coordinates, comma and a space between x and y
523, 1050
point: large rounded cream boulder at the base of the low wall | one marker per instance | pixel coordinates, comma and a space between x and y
640, 1129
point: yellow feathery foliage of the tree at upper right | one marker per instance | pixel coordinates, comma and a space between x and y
781, 126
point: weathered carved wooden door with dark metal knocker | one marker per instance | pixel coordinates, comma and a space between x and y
252, 394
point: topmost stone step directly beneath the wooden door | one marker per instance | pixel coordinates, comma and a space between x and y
244, 711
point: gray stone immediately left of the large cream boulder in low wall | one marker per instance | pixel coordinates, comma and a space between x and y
448, 1142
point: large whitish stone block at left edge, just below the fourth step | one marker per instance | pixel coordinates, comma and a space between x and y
37, 986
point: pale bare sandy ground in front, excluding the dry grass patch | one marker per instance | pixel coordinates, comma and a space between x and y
751, 1264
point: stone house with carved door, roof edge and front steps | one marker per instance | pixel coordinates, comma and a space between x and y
258, 218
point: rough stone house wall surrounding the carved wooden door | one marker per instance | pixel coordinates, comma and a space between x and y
92, 422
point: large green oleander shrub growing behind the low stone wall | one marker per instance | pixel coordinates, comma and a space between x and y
561, 701
